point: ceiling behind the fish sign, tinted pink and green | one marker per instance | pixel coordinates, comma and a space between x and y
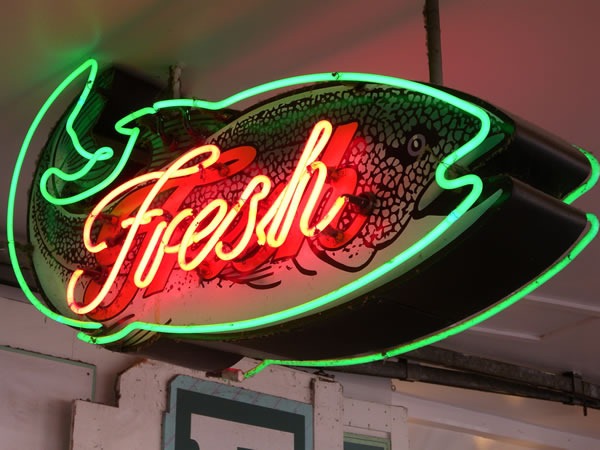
538, 59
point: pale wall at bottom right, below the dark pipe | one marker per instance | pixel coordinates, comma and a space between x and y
442, 425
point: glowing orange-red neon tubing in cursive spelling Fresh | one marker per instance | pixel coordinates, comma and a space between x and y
191, 237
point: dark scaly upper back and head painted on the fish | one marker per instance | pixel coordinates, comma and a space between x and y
388, 118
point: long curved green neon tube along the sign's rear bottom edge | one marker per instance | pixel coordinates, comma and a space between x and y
459, 327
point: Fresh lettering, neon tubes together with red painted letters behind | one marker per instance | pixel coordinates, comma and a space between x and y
219, 231
